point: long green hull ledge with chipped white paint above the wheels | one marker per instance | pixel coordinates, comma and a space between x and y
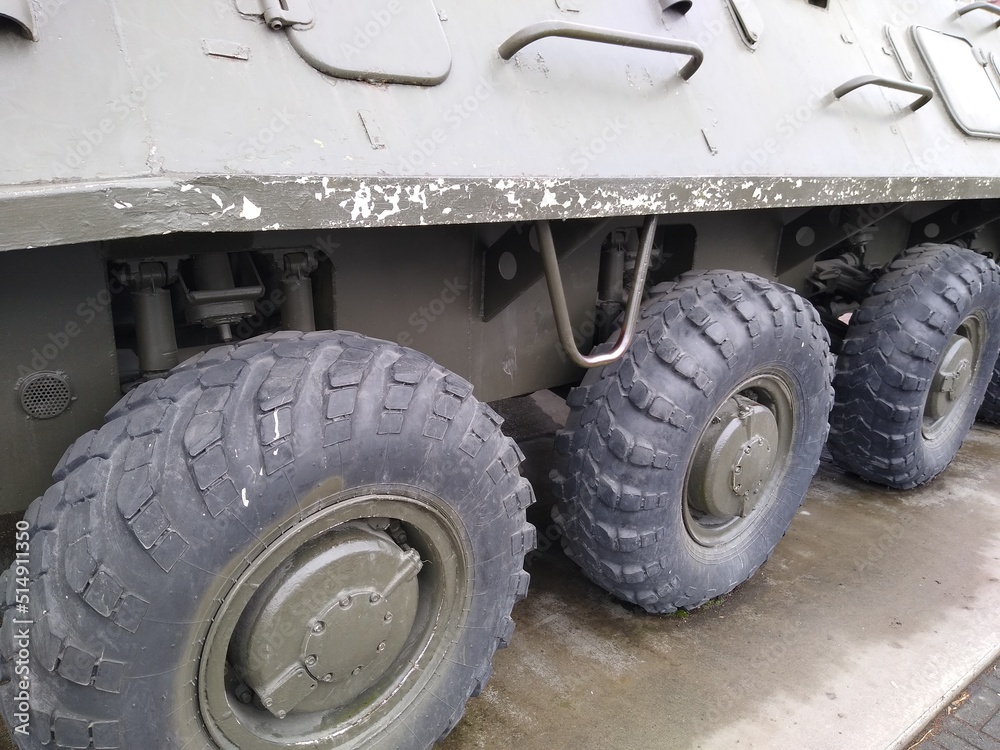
61, 214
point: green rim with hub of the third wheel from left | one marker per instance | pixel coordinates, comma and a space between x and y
950, 389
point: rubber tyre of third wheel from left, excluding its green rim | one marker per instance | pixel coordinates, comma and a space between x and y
892, 354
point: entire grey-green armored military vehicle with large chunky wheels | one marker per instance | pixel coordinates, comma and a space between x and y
255, 255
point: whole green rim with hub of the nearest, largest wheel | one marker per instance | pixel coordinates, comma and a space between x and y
335, 625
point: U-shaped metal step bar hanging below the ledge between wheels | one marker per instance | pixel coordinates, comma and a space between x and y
558, 296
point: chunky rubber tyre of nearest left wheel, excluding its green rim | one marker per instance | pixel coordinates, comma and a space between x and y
154, 515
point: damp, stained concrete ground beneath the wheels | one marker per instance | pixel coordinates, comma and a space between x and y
875, 612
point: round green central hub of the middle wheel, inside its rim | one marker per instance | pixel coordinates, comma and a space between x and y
735, 459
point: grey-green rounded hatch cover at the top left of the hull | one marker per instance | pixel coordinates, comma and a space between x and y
399, 41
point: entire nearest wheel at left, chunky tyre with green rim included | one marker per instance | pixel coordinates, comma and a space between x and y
303, 541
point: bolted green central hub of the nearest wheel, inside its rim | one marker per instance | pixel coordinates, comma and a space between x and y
329, 623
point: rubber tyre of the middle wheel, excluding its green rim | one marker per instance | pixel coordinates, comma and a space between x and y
634, 426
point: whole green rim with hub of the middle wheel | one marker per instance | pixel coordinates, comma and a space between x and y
741, 457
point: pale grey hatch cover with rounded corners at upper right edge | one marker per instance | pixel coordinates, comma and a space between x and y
963, 80
